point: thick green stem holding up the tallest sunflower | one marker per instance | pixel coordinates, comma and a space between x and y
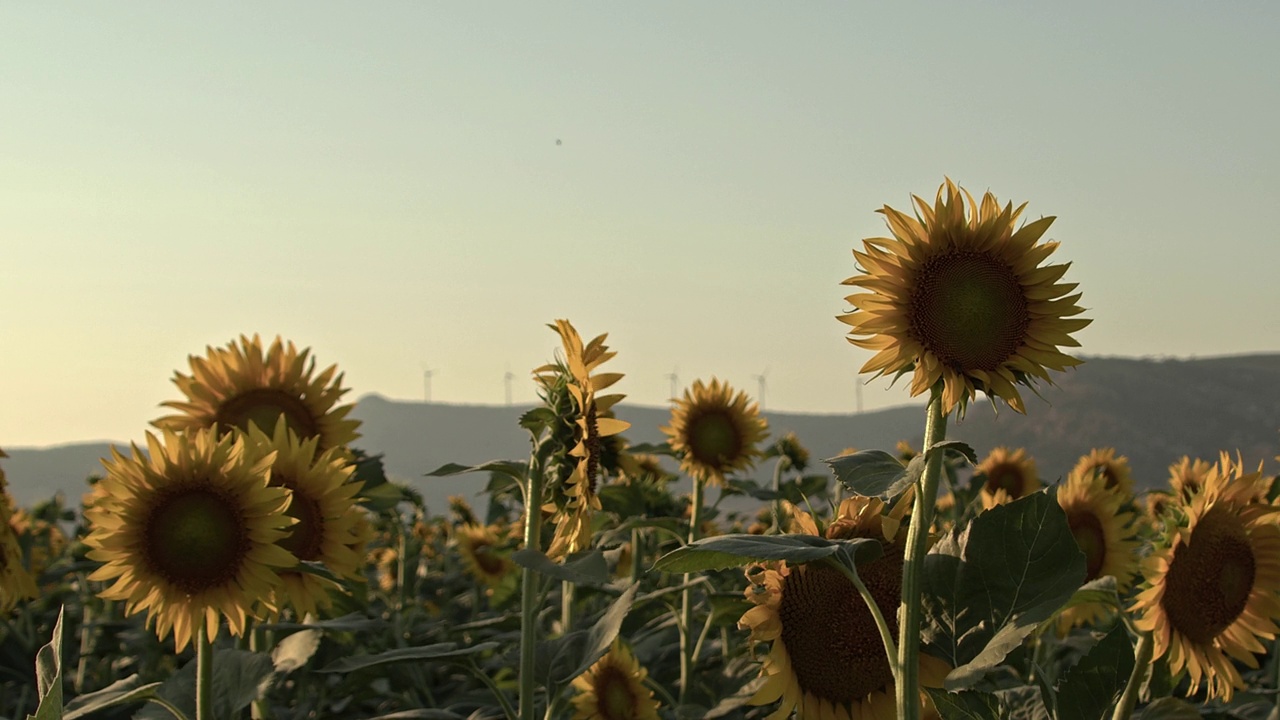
913, 564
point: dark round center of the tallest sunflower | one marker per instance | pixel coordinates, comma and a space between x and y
970, 311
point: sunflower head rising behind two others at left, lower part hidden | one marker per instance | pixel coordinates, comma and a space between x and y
241, 386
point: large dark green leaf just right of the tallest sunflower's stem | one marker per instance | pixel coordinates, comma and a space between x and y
988, 589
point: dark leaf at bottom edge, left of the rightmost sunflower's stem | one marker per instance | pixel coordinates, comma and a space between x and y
1091, 687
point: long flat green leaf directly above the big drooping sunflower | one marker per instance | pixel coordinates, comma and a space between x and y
738, 550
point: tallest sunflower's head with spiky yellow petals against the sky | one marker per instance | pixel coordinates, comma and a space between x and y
961, 297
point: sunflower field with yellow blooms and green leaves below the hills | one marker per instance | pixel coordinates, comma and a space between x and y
250, 562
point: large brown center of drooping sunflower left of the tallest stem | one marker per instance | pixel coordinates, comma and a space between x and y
830, 636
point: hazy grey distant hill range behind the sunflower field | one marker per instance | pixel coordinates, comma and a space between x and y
1151, 411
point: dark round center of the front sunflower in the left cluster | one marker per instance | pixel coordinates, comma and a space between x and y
195, 539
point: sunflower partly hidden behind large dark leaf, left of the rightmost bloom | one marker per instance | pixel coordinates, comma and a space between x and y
1105, 535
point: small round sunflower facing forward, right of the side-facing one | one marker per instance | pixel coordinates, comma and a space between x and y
715, 431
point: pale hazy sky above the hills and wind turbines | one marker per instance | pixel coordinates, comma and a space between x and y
383, 183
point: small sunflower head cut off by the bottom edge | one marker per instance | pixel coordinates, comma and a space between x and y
614, 690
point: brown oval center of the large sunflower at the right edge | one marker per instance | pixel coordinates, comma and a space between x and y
1210, 577
